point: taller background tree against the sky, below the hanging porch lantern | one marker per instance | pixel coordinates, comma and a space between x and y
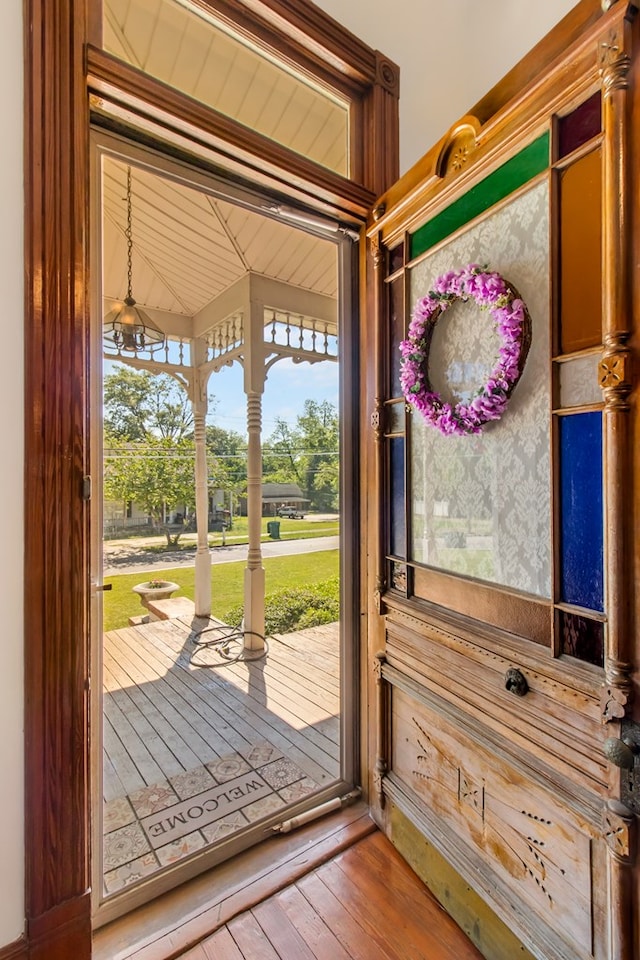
139, 405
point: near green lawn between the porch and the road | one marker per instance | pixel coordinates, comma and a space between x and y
226, 583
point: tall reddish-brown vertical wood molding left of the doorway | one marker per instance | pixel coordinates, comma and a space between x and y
56, 534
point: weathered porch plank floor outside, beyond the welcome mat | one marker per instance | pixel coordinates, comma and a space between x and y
164, 717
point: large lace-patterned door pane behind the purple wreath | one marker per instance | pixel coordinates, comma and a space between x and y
481, 505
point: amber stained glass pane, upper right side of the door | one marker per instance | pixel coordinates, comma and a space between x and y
580, 254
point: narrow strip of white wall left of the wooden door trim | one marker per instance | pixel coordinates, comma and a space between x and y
11, 477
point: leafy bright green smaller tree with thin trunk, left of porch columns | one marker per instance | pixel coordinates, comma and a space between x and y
156, 473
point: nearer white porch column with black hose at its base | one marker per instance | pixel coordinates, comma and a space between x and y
254, 377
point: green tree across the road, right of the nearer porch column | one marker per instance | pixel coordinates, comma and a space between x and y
307, 454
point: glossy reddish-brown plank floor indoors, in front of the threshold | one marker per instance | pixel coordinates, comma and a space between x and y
364, 904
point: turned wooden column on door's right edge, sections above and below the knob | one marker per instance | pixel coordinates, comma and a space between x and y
615, 380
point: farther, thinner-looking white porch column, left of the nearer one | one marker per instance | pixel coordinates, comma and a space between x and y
199, 404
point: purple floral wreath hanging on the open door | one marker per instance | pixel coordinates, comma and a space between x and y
491, 292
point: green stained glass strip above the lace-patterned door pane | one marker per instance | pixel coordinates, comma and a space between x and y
509, 177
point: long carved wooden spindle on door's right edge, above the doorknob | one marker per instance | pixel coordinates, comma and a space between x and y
614, 372
